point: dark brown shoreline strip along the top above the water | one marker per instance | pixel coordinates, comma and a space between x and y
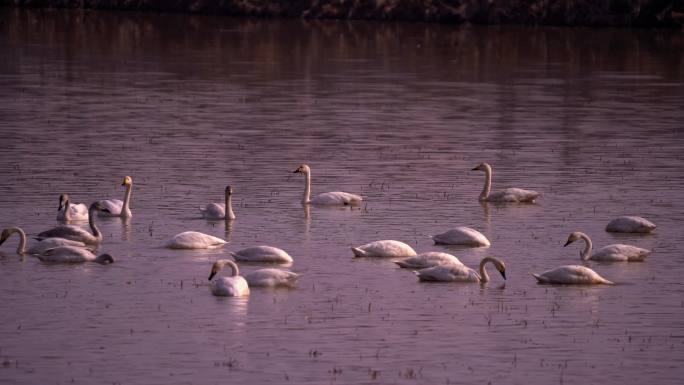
601, 13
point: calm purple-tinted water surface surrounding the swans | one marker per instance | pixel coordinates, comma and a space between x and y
397, 112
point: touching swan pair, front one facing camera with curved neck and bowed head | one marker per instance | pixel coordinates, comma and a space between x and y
238, 286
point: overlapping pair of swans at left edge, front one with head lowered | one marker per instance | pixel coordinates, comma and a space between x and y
55, 250
